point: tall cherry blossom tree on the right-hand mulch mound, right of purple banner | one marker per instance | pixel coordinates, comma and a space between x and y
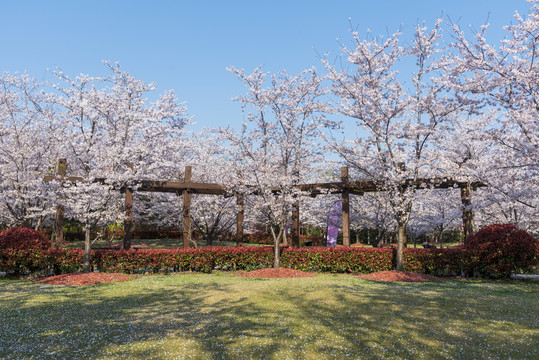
397, 118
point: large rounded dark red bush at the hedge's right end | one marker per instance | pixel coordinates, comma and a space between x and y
501, 249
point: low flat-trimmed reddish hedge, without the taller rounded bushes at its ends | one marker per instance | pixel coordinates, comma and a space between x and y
335, 260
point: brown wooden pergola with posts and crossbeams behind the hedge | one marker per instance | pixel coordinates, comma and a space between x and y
186, 188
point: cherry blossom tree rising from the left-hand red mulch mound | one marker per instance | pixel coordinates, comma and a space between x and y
110, 131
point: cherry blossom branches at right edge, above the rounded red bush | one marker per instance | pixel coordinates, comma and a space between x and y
503, 79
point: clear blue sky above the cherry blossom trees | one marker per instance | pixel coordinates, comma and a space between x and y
187, 45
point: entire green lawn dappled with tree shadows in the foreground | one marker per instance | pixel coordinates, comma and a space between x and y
222, 316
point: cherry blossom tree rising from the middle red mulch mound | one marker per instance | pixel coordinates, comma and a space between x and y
277, 145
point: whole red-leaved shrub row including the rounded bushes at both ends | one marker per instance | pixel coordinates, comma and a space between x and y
495, 251
